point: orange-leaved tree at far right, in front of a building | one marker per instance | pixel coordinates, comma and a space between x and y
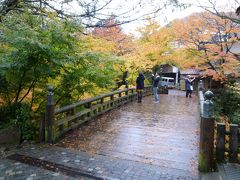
212, 35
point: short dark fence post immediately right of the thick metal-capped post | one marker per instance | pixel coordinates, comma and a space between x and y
220, 146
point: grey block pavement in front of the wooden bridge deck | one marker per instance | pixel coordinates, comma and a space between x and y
91, 166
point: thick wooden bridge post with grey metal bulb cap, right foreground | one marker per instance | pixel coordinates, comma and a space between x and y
206, 156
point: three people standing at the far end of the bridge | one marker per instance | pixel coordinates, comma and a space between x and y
156, 78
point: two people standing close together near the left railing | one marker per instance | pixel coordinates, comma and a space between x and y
140, 86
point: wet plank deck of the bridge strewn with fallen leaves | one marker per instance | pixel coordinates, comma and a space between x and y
163, 134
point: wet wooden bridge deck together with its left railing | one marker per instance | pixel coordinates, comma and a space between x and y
164, 134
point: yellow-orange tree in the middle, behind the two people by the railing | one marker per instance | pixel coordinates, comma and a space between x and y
151, 48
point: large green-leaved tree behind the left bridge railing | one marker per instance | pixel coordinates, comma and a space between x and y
32, 58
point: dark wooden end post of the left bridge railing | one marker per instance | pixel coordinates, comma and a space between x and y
50, 115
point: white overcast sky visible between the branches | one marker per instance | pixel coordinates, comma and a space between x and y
133, 9
